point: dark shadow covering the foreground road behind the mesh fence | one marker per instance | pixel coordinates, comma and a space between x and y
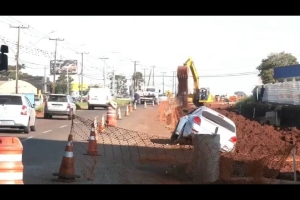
118, 162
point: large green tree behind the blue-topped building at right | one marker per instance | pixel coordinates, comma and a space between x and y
266, 68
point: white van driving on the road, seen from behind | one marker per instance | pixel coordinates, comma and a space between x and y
98, 97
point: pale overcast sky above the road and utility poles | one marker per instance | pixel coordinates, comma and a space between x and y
225, 49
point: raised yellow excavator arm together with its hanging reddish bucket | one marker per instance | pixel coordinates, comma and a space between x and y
182, 75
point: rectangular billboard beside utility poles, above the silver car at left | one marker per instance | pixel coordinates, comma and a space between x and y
63, 65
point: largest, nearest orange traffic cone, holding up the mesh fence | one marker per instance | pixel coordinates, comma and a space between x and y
67, 171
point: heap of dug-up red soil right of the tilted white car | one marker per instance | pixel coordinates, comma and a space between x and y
270, 146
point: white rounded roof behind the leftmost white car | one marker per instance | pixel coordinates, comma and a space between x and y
9, 87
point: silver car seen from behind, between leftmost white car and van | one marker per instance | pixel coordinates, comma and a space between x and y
59, 105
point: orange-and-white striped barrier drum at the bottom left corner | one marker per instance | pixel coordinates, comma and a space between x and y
11, 166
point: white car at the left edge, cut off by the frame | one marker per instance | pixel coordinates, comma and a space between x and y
16, 112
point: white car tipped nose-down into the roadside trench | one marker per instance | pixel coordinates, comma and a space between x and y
204, 120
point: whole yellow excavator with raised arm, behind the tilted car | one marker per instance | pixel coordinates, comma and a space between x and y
199, 95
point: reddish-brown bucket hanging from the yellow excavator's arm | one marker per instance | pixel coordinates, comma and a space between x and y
182, 75
